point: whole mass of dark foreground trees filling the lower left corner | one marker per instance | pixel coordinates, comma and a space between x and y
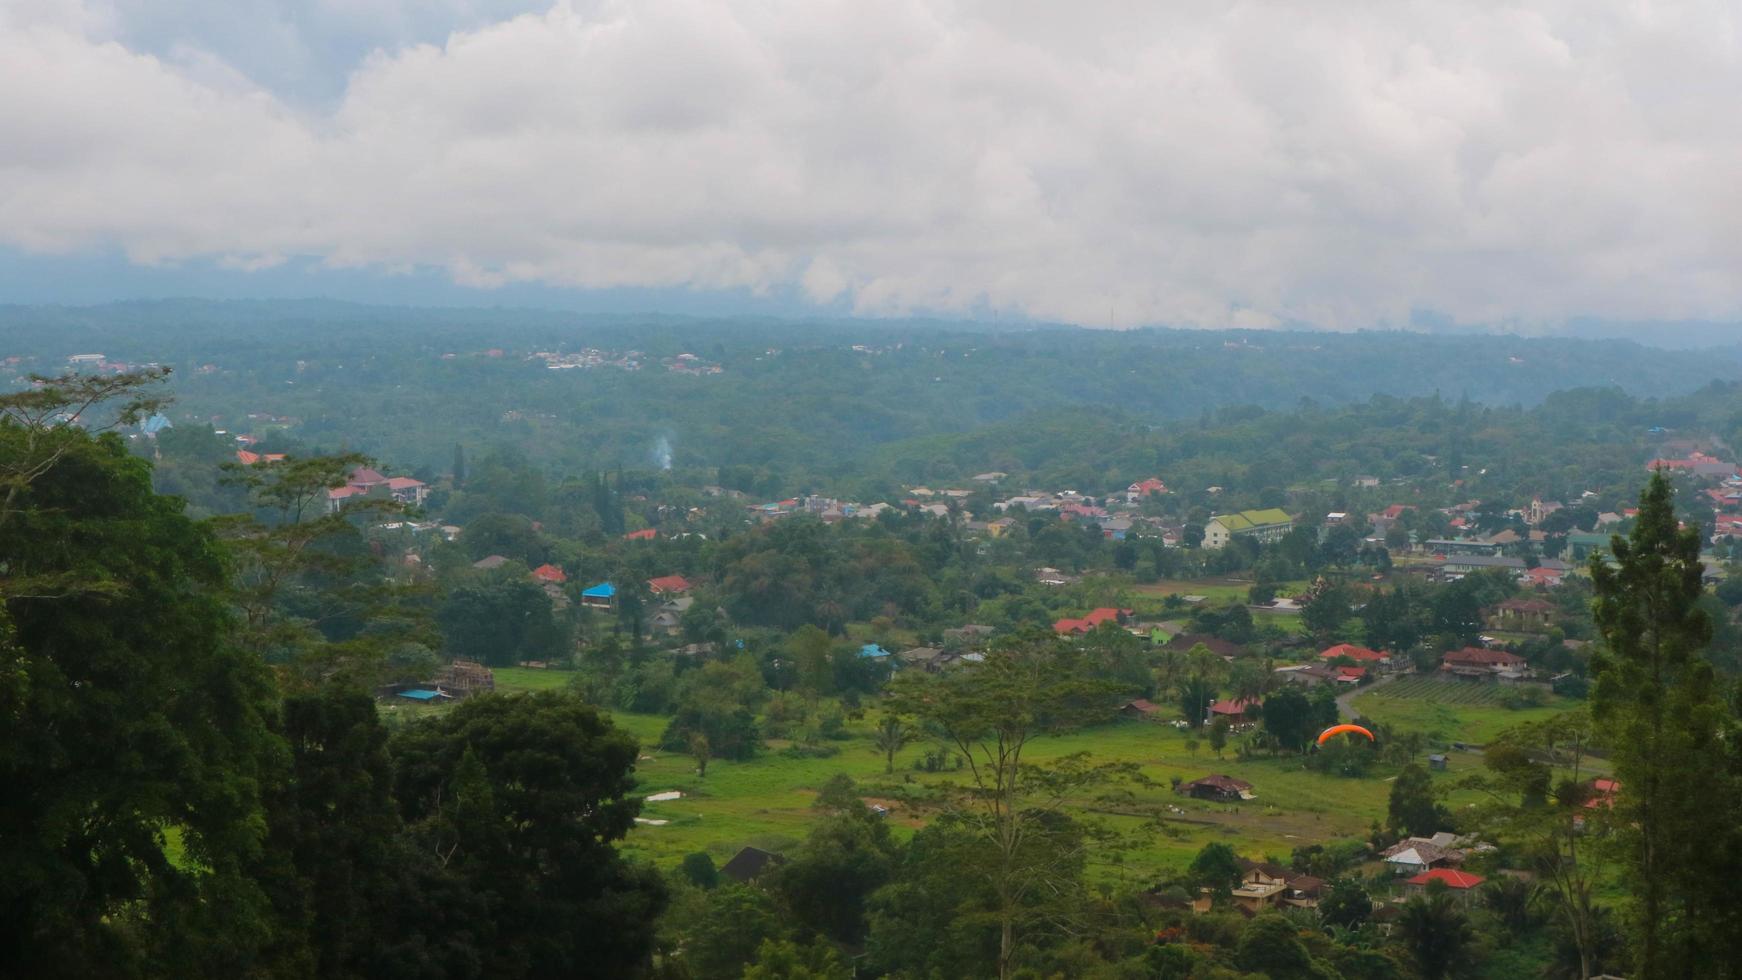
168, 816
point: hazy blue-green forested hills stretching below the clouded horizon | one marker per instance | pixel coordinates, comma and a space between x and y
816, 401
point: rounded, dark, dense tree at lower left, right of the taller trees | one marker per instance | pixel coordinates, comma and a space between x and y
523, 800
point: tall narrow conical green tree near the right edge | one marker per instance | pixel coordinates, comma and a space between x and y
1658, 704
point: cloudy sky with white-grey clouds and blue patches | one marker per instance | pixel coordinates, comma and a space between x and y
1198, 164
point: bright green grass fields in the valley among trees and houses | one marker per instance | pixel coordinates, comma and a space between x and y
767, 802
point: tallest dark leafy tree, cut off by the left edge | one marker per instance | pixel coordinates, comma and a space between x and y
128, 725
